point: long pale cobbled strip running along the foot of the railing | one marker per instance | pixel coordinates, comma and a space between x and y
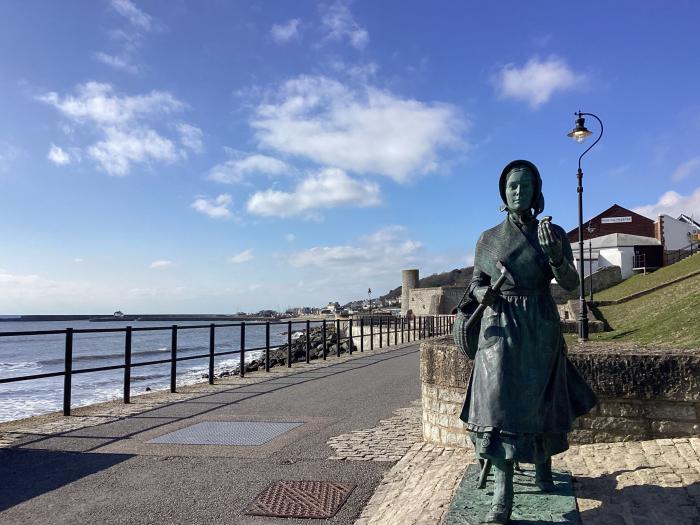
92, 415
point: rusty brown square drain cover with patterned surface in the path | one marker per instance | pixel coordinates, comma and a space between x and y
301, 499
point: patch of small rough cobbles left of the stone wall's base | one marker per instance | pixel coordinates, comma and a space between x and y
389, 441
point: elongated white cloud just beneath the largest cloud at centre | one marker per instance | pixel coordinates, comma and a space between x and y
328, 189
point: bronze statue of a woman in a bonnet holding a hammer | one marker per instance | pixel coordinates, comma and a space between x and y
524, 393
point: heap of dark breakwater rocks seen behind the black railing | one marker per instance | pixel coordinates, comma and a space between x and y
279, 355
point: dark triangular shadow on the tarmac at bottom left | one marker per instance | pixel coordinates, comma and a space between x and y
26, 474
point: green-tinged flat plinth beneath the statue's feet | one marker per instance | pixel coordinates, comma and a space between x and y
530, 506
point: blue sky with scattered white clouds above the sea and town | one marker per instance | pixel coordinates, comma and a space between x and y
222, 156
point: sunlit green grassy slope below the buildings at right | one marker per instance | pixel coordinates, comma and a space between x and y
668, 317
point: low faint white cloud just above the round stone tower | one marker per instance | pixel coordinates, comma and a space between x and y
386, 250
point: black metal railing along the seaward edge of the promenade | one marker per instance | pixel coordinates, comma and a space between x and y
415, 328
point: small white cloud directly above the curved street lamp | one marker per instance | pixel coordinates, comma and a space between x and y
536, 81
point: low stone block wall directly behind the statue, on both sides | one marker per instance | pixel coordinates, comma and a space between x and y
643, 393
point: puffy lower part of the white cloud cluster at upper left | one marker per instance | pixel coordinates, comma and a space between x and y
121, 148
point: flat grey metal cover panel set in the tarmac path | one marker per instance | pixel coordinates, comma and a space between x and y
226, 433
